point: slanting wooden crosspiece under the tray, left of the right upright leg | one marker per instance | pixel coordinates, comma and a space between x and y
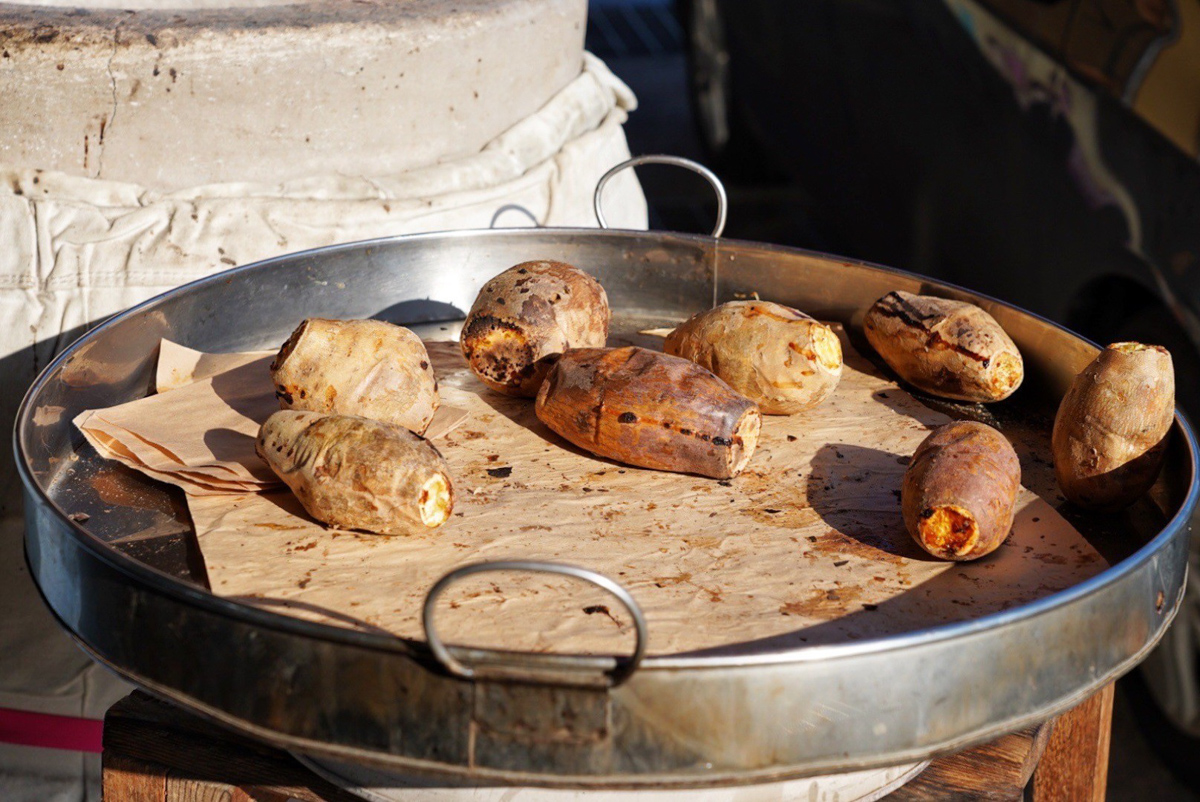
995, 771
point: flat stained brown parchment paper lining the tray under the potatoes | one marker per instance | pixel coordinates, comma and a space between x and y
807, 547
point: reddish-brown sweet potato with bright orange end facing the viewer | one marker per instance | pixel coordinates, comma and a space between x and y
959, 492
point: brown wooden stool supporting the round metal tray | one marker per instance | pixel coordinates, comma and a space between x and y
155, 752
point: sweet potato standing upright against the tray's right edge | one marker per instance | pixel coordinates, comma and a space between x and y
1111, 433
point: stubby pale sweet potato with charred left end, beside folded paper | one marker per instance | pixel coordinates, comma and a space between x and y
357, 368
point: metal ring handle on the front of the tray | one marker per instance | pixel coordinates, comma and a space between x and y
625, 668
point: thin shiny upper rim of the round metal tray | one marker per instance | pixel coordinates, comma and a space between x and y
167, 585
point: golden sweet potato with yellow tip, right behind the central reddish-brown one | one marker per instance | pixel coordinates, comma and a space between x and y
779, 358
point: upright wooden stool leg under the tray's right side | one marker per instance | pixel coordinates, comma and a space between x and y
1076, 764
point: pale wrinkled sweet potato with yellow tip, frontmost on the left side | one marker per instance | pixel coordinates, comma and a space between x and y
357, 474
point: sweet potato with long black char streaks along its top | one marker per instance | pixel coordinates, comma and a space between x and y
944, 348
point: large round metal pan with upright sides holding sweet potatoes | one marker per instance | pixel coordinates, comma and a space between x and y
128, 584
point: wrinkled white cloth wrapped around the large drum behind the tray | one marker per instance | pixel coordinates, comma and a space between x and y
75, 252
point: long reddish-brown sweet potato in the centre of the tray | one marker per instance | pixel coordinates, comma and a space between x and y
651, 410
